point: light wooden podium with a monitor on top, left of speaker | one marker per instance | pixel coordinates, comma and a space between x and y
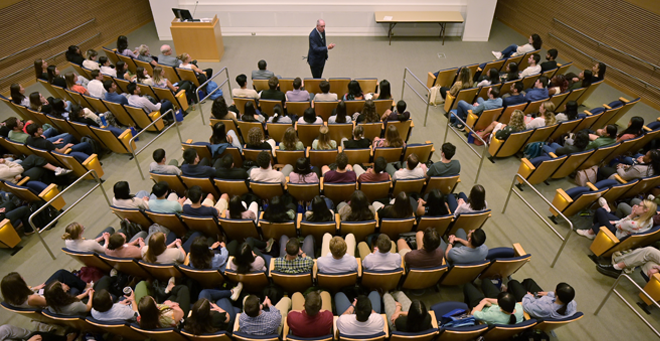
201, 40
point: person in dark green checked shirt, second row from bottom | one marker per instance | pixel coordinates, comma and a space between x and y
293, 259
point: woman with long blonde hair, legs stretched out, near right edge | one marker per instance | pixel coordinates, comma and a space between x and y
639, 220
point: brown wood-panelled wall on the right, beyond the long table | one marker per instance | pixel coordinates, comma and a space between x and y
618, 23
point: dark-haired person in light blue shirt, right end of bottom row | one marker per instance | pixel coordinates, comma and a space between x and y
543, 305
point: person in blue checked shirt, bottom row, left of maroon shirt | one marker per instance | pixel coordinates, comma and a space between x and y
255, 320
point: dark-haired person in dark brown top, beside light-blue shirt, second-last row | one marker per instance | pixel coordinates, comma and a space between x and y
429, 252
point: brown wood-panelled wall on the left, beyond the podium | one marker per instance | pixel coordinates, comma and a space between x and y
29, 22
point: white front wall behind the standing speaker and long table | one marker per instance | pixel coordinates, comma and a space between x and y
298, 17
